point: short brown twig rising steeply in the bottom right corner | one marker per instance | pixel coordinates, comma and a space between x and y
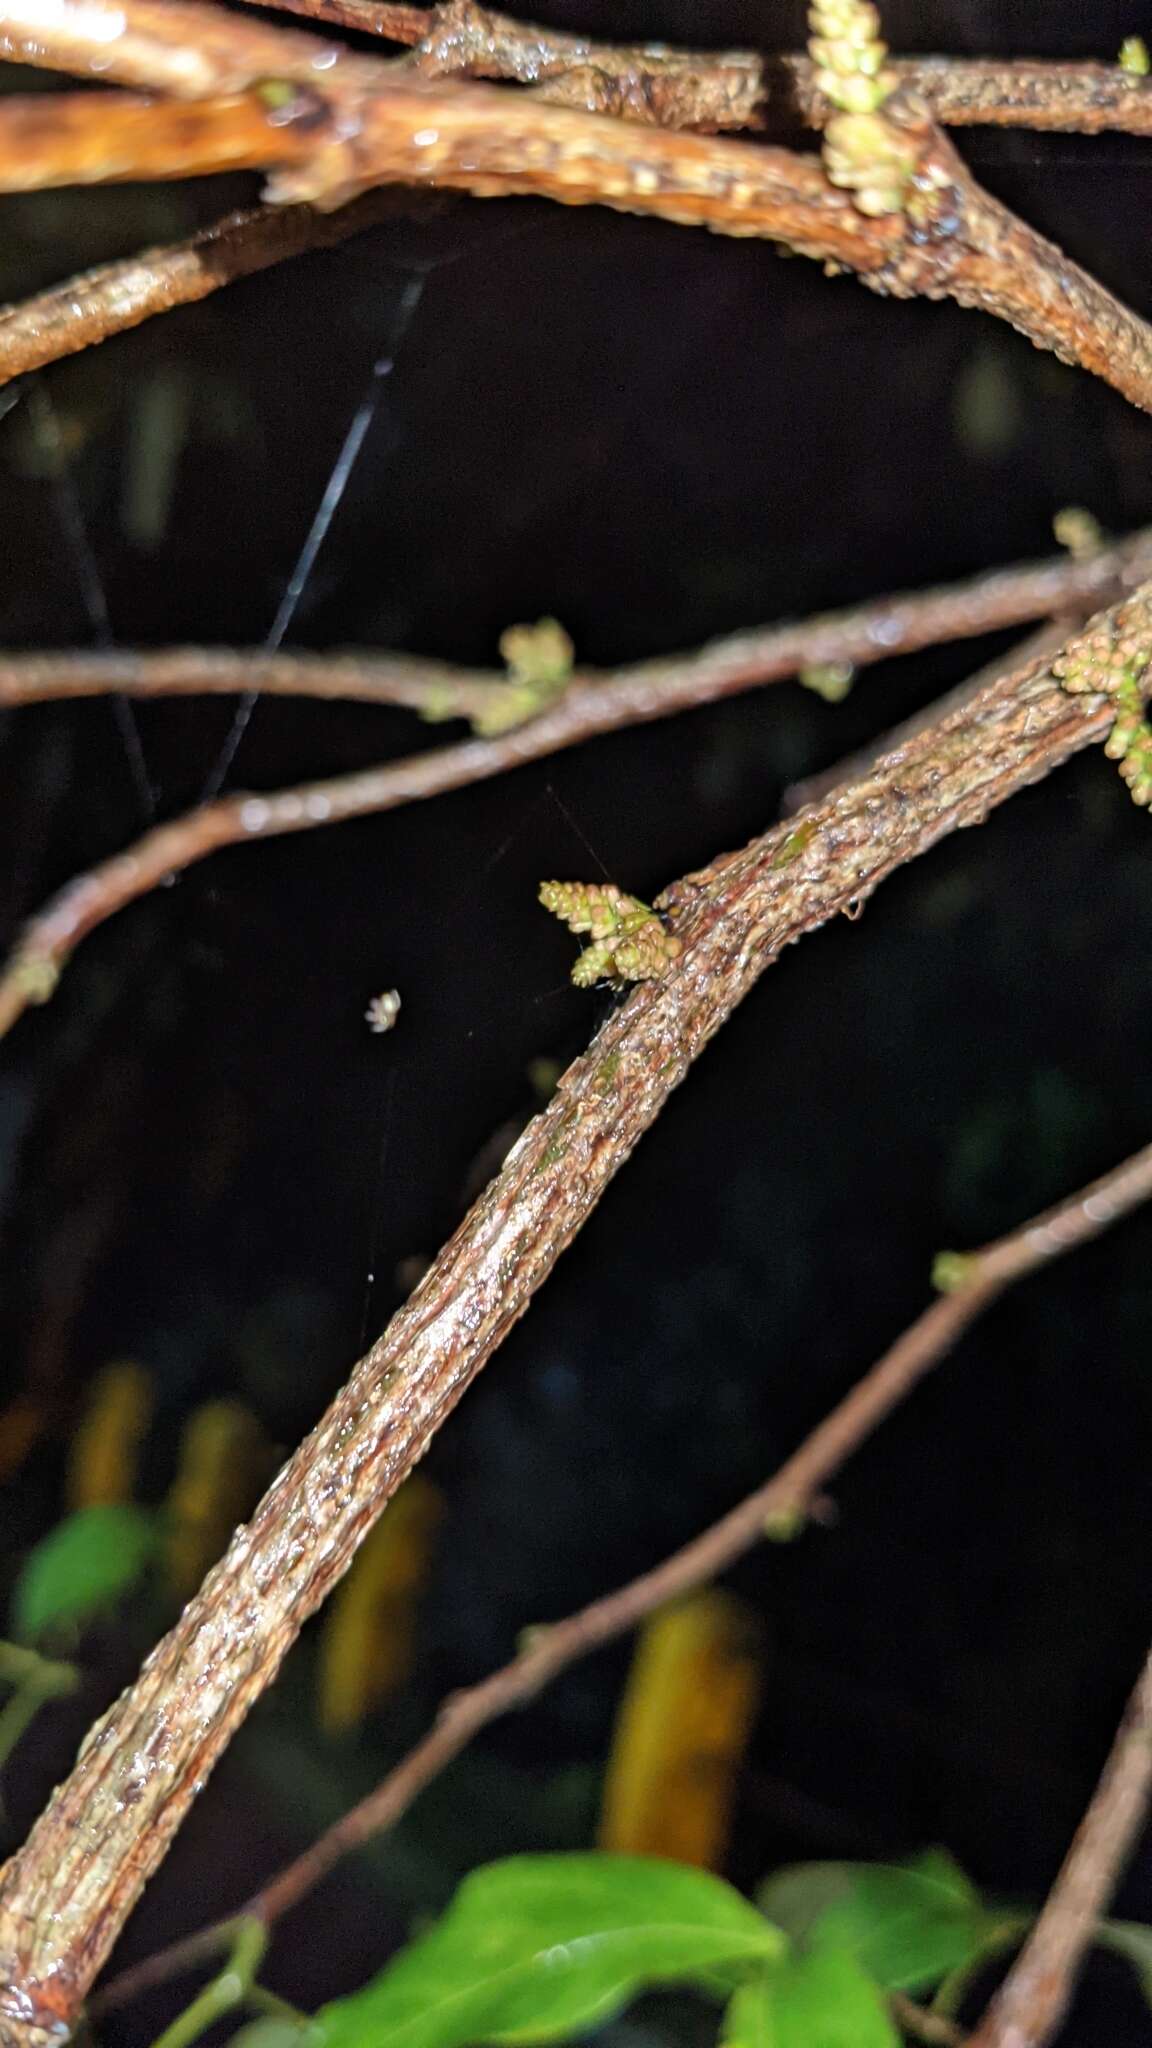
1038, 1990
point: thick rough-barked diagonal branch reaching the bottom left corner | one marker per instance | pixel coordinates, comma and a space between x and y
69, 1891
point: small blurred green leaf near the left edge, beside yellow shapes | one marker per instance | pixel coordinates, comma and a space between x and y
81, 1568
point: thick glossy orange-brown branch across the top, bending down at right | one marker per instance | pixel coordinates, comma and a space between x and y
360, 122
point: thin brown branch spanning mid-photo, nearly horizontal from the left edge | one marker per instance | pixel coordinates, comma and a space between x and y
643, 691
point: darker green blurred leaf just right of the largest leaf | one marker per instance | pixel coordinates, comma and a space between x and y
907, 1924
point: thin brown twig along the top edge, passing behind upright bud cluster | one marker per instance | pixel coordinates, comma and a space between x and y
735, 89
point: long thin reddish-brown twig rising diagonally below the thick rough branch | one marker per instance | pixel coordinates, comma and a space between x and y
786, 1498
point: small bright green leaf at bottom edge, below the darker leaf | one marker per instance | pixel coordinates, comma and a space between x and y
819, 2000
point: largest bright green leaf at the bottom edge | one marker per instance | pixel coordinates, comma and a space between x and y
544, 1947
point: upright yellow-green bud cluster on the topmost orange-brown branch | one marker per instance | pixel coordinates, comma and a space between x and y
864, 153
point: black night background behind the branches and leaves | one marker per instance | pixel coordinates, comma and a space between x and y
655, 435
